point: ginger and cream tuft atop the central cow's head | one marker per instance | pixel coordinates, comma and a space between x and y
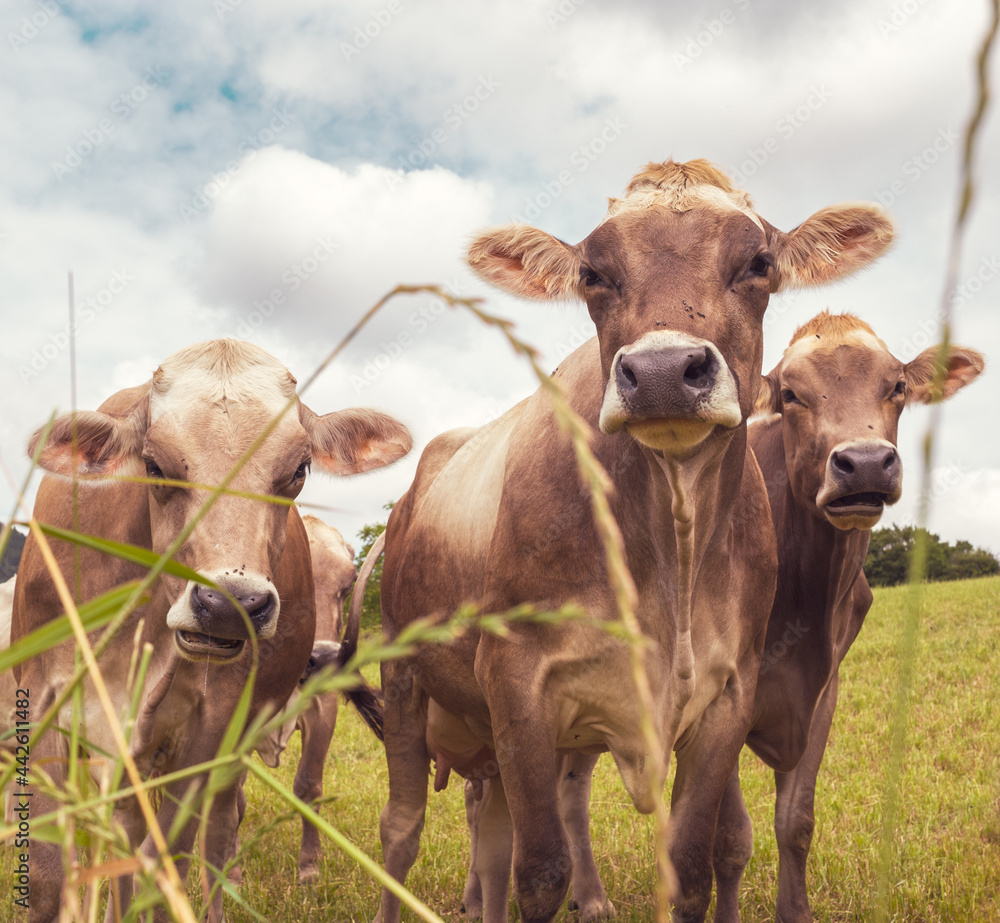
681, 187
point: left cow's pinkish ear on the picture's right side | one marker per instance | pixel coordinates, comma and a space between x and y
355, 440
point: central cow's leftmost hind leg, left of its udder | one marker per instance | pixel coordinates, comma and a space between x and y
402, 820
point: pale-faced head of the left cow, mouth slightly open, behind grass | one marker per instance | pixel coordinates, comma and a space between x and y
205, 406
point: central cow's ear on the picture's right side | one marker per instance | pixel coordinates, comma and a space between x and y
832, 244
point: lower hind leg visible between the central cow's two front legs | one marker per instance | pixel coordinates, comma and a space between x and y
575, 777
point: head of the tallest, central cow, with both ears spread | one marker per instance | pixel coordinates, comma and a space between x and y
677, 278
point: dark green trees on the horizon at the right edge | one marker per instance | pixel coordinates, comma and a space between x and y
890, 550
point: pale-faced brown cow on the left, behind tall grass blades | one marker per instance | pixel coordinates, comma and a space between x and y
203, 408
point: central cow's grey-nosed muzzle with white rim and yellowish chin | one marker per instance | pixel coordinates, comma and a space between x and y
670, 390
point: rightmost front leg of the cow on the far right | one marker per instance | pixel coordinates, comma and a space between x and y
794, 819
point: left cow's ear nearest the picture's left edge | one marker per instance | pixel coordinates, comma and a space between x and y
92, 443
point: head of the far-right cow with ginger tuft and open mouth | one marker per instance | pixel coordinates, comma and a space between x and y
840, 393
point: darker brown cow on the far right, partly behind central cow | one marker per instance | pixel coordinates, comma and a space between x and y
828, 453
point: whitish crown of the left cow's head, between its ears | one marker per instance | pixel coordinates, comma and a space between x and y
218, 369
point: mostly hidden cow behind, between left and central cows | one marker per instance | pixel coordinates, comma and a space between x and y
333, 574
